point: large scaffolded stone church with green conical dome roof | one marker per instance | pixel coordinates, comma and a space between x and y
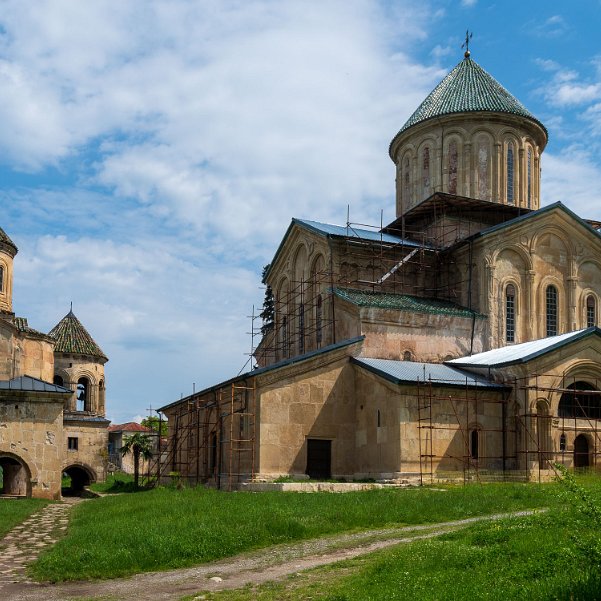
459, 341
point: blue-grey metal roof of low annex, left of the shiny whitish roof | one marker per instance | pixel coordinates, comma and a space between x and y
412, 372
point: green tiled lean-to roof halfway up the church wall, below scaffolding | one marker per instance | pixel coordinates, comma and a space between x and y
403, 302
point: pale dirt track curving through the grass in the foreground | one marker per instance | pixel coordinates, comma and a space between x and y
253, 568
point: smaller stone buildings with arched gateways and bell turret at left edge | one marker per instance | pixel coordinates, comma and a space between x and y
52, 400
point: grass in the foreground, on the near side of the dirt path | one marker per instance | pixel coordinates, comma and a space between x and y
532, 558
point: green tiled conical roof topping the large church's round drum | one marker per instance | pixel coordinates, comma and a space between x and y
468, 88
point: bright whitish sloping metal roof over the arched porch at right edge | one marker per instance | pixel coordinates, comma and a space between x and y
521, 353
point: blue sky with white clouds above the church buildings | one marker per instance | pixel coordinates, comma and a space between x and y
152, 153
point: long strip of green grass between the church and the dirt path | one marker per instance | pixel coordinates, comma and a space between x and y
164, 528
